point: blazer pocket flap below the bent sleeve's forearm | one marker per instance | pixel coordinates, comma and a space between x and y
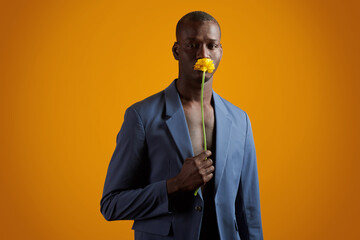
154, 226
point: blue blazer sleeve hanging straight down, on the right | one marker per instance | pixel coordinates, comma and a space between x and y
248, 215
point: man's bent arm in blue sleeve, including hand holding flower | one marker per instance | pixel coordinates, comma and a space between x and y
127, 195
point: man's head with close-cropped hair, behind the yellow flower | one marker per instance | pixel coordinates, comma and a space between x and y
197, 36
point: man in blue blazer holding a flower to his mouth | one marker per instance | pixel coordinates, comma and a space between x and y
159, 162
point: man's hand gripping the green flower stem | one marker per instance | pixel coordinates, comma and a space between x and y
195, 172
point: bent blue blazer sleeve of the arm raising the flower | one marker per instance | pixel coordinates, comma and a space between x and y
126, 194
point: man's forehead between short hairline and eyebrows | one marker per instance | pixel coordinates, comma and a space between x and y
200, 31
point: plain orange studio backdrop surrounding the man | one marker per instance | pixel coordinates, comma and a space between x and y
69, 69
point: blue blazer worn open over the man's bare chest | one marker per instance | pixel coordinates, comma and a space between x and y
151, 146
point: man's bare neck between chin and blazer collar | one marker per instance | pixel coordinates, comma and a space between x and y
190, 91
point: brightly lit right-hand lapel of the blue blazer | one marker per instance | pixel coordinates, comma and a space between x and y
223, 131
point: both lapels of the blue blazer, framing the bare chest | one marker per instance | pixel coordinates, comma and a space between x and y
177, 125
